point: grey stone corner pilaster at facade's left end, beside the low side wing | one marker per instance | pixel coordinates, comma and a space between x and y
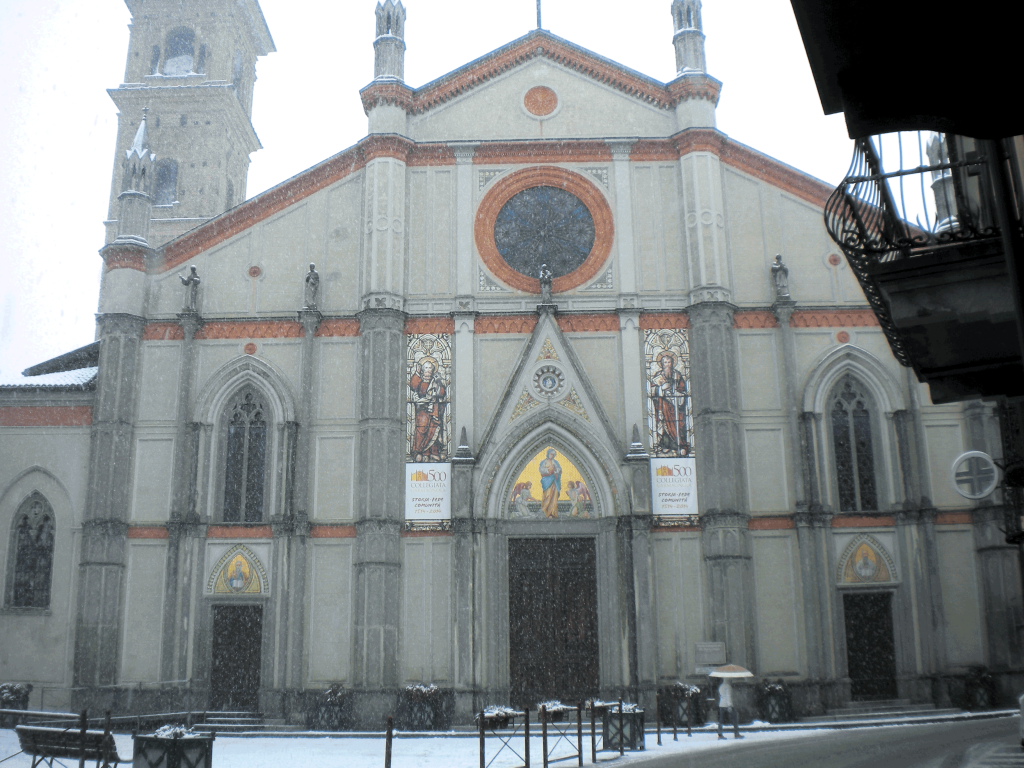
105, 530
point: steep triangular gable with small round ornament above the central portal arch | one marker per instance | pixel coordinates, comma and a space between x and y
548, 378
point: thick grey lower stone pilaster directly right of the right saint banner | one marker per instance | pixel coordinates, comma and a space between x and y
721, 481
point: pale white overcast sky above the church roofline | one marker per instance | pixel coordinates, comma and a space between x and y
58, 125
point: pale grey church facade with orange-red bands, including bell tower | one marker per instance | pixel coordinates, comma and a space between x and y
546, 389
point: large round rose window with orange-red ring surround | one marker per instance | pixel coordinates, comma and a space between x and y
544, 216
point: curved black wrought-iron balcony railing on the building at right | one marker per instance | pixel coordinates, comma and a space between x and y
909, 195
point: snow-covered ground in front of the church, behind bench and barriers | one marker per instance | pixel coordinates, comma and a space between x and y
415, 752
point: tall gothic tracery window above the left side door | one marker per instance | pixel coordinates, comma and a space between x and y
245, 462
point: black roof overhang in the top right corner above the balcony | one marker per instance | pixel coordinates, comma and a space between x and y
902, 65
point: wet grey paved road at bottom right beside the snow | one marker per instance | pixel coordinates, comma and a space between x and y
985, 744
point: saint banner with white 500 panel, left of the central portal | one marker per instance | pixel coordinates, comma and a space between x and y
429, 437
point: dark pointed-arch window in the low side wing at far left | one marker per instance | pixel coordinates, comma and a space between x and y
31, 554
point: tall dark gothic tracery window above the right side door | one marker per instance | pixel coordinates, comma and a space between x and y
850, 416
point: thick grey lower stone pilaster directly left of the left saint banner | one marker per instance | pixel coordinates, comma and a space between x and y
379, 509
